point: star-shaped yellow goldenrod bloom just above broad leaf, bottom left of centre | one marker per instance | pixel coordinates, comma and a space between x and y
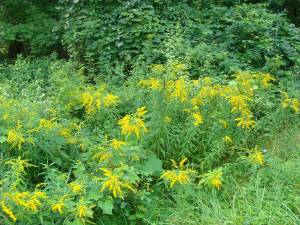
114, 183
